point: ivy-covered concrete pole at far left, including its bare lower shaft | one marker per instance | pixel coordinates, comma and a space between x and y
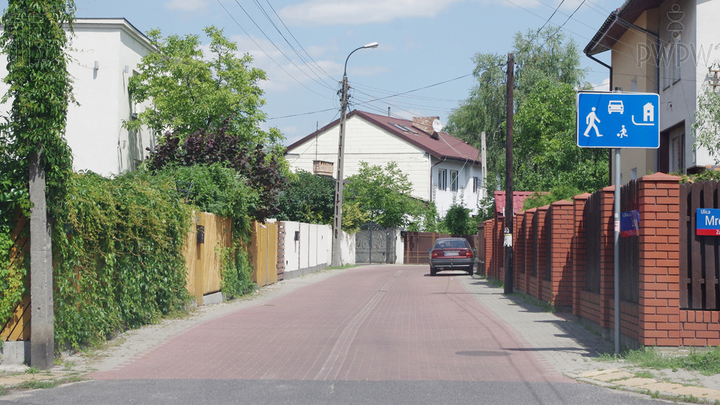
34, 39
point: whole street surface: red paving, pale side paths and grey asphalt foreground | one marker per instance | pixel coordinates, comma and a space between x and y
391, 332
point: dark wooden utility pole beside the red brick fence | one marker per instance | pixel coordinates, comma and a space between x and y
509, 209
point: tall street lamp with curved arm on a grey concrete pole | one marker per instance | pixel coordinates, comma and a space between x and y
337, 222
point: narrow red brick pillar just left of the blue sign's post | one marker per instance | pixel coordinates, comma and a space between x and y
607, 259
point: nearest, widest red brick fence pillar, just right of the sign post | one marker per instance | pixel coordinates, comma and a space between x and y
659, 310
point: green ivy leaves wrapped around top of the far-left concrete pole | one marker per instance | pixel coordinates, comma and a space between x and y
40, 88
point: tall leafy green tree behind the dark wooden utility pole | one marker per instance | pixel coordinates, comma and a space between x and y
547, 72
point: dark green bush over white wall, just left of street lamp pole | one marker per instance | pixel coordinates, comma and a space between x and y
307, 198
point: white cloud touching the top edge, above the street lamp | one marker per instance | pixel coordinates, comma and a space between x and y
354, 12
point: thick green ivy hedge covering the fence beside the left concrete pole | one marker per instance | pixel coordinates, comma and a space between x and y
118, 254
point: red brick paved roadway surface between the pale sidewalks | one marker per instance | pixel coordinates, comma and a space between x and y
367, 323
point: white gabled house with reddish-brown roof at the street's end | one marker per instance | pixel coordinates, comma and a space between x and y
440, 167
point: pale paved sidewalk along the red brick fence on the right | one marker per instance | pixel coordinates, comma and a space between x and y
564, 344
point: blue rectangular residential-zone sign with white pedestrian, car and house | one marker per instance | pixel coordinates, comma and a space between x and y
618, 120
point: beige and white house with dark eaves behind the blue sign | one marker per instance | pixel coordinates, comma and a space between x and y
664, 47
